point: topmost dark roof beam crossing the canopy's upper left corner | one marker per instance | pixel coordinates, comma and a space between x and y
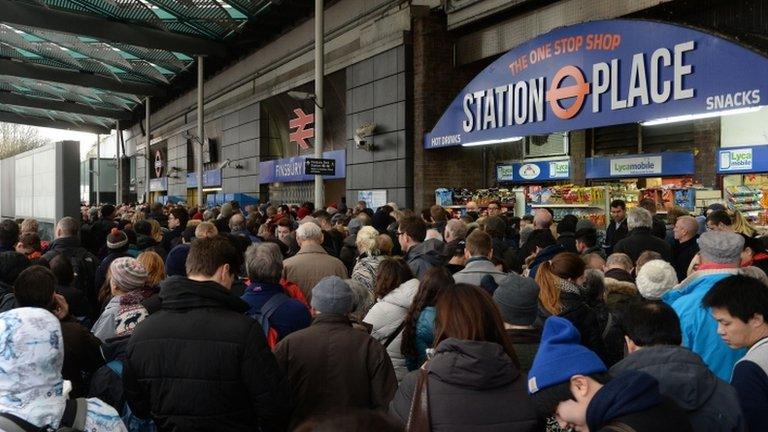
15, 12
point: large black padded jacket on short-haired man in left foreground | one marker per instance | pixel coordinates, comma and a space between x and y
200, 364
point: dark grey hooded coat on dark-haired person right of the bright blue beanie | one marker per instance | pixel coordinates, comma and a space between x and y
710, 402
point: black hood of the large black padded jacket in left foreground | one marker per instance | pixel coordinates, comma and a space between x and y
178, 292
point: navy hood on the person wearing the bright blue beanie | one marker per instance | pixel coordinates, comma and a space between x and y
627, 393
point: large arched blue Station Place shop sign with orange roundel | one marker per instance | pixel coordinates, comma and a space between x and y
598, 74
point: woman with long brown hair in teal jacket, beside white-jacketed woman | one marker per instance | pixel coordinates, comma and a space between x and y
419, 324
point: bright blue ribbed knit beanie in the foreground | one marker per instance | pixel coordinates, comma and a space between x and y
561, 356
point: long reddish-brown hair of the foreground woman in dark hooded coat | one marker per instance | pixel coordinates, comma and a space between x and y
467, 312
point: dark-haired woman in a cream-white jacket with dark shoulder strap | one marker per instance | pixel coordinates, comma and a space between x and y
395, 289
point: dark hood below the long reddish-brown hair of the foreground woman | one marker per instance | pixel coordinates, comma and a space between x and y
473, 364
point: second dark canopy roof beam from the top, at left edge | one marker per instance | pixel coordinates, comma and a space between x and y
45, 73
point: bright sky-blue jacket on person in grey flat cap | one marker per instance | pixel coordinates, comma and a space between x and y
699, 328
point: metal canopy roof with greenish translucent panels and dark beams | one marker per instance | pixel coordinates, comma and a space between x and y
82, 64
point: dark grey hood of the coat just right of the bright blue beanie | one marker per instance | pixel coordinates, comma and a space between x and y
681, 374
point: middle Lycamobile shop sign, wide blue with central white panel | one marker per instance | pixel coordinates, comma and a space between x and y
665, 164
